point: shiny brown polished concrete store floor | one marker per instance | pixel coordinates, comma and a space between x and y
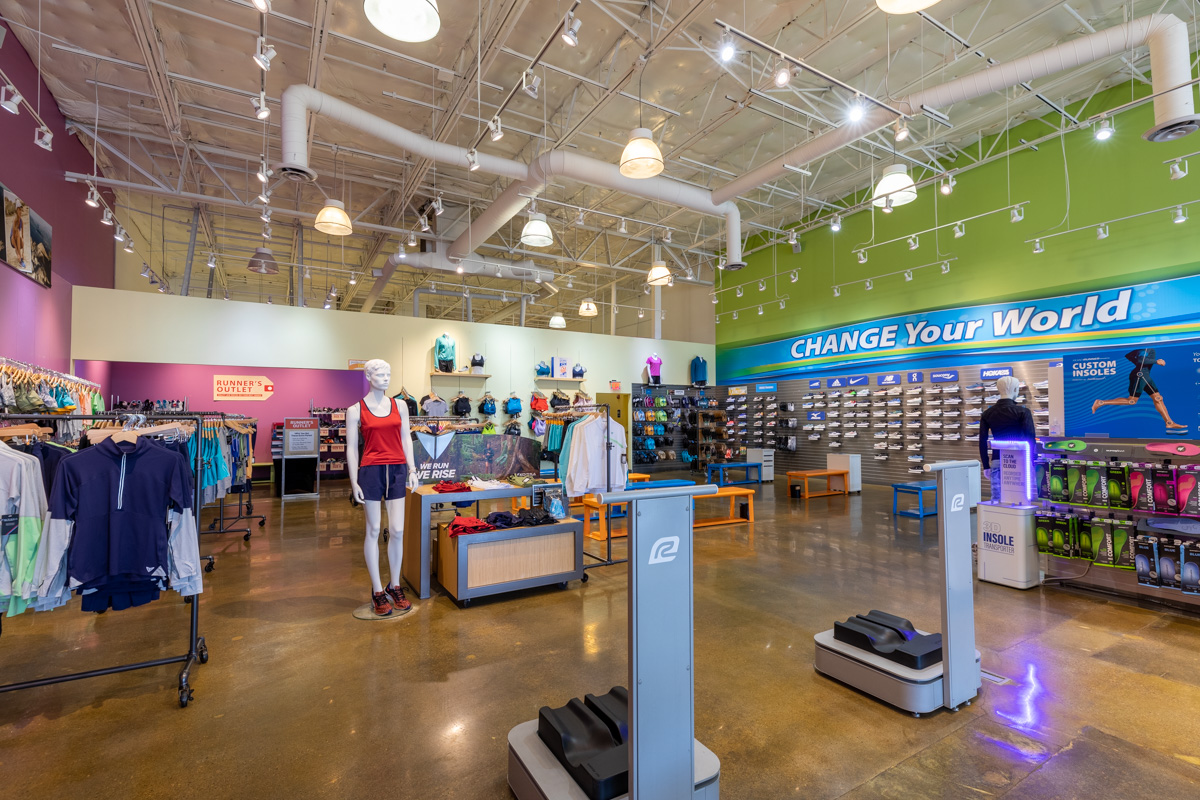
302, 700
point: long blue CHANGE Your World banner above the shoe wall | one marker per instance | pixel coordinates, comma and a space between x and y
1135, 316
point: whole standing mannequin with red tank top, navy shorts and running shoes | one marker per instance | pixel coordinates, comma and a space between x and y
380, 476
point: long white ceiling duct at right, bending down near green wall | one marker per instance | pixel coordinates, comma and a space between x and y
1171, 67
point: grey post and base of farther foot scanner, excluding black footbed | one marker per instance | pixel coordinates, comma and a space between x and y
957, 678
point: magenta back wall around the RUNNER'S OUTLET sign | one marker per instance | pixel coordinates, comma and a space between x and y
293, 389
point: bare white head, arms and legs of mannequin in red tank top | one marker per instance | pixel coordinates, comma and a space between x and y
379, 374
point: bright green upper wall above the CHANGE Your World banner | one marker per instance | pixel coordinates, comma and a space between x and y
1108, 179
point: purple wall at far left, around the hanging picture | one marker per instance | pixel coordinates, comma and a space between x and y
35, 323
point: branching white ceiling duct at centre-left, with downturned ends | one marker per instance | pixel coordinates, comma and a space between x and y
299, 100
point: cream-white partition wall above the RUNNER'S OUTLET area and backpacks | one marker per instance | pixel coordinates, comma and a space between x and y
116, 326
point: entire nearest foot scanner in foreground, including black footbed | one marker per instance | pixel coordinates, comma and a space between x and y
575, 753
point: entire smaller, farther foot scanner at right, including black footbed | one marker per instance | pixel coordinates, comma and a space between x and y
886, 657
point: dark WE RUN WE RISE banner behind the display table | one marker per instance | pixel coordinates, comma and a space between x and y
459, 456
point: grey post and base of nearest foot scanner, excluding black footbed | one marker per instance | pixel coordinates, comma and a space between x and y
665, 761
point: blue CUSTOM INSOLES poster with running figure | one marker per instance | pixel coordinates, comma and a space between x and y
1144, 392
